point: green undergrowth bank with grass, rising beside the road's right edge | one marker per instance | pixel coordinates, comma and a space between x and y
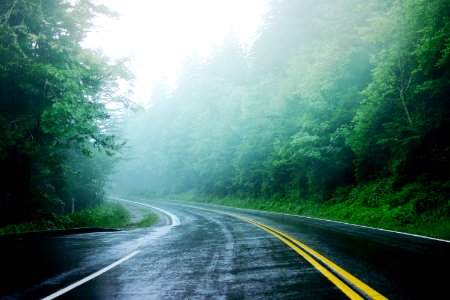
416, 208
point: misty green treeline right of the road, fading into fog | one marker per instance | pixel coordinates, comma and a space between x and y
335, 100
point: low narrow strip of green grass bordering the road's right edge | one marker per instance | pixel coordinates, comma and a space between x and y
359, 207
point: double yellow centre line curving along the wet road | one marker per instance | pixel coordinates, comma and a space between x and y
346, 282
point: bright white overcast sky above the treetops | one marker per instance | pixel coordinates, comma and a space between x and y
159, 34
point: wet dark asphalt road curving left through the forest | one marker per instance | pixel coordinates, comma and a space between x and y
210, 252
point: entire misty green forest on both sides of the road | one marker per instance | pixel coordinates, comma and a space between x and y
338, 104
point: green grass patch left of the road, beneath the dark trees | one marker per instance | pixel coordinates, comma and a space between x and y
108, 215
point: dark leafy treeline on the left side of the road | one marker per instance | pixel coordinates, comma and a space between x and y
52, 109
